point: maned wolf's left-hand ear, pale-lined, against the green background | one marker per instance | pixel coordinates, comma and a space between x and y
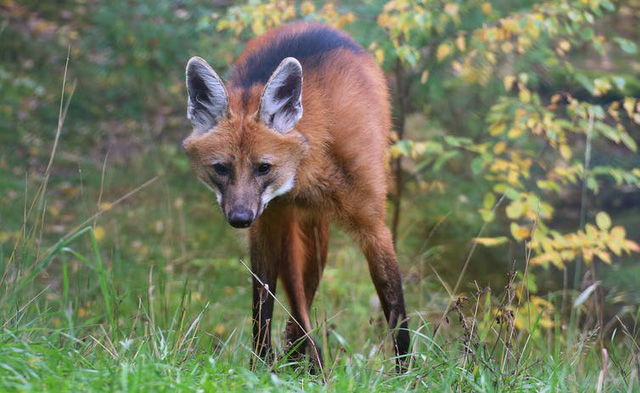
208, 99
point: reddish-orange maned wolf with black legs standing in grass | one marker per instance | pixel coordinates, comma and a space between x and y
296, 137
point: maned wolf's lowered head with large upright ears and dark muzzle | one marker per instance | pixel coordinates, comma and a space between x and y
244, 145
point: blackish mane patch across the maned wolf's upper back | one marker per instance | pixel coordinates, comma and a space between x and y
308, 46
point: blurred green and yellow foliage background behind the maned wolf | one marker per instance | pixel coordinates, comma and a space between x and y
514, 155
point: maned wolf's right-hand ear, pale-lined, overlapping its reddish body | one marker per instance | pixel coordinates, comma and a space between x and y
281, 102
